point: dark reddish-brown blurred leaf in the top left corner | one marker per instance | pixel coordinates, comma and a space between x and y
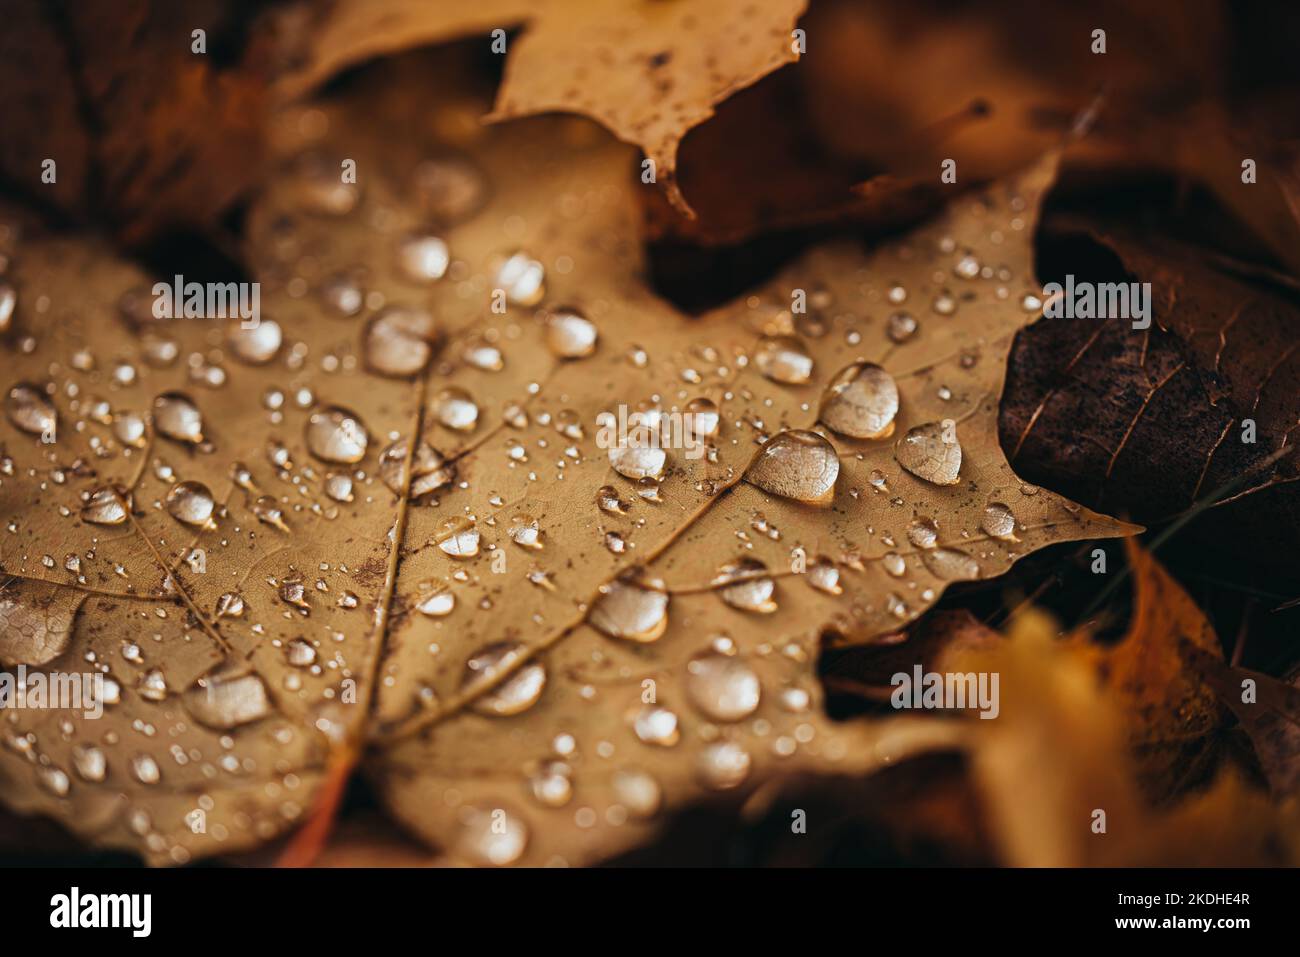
148, 135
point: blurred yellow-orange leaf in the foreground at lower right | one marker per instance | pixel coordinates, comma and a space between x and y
1059, 755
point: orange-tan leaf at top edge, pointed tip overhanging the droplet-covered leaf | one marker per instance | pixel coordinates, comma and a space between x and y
648, 71
